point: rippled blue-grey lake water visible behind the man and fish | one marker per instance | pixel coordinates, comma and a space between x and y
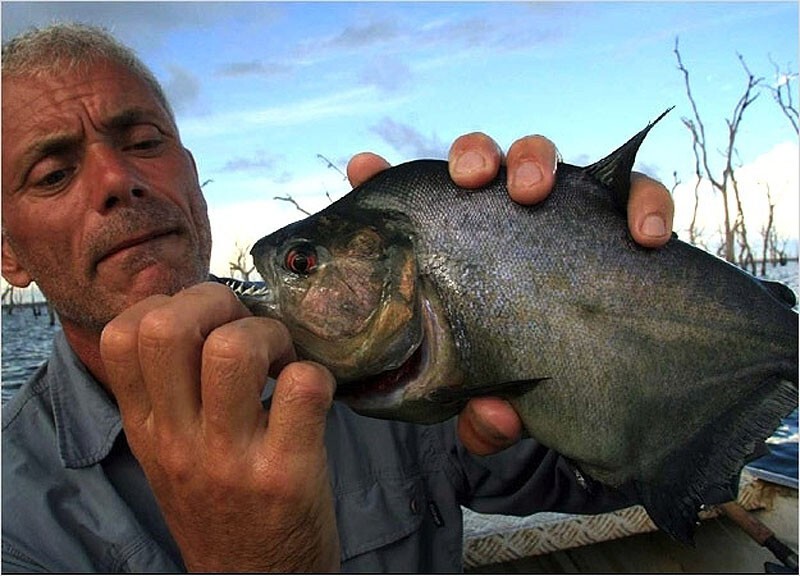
27, 340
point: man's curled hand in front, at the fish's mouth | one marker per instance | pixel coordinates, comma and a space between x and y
242, 489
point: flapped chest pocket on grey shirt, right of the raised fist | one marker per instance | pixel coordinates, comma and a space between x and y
379, 514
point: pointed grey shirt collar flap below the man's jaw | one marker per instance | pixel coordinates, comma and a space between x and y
87, 419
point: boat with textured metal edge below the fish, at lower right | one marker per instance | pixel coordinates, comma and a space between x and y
627, 541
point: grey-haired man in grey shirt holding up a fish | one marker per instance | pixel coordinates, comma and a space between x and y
143, 444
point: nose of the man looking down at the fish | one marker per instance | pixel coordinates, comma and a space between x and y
113, 177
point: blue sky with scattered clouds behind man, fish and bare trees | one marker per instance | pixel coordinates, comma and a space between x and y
267, 93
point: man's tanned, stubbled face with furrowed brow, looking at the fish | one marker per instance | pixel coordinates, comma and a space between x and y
101, 203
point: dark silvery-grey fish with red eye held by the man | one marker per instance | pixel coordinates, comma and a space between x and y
654, 370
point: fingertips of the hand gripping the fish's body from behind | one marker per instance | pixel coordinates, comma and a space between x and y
488, 425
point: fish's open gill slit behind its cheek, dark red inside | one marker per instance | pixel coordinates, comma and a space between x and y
409, 391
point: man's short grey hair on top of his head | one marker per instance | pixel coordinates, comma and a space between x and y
71, 46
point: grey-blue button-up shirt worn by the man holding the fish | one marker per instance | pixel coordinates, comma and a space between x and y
76, 500
